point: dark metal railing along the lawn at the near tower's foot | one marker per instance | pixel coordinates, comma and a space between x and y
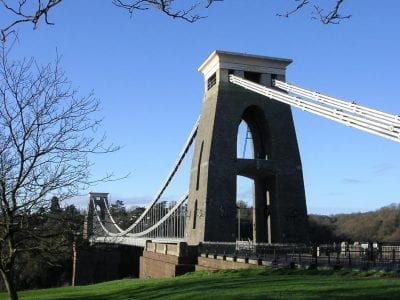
334, 256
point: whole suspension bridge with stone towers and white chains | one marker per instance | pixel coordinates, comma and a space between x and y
239, 87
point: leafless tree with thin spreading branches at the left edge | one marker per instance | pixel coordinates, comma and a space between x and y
47, 135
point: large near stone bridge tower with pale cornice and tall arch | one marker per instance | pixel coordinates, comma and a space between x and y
279, 213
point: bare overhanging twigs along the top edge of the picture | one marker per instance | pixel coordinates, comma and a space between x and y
32, 11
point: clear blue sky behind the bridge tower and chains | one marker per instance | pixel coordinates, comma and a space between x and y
144, 71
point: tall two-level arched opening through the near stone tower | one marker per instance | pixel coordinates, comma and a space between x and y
253, 192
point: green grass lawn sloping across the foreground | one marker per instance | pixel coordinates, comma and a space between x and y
237, 284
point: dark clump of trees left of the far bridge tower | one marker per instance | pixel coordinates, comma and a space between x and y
45, 247
